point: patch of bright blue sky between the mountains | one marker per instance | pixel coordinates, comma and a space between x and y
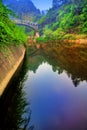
42, 4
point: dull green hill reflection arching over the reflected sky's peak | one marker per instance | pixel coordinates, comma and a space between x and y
36, 59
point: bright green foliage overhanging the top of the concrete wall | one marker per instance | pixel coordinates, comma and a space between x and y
9, 32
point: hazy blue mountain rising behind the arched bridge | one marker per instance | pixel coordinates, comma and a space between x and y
23, 8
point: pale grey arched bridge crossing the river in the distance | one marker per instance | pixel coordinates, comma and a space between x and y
26, 23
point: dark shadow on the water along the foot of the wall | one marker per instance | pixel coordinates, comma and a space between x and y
13, 105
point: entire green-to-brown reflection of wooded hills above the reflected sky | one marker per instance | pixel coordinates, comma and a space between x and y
76, 67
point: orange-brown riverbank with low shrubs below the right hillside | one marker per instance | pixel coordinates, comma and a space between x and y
66, 38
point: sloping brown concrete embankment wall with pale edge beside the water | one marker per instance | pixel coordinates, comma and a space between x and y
10, 60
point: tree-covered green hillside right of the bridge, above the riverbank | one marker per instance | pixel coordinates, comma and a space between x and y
65, 21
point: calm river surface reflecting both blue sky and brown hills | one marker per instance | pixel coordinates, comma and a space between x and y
53, 95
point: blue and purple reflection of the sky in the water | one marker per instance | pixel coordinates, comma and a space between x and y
55, 103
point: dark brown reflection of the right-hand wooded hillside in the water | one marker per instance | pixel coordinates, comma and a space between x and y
69, 60
